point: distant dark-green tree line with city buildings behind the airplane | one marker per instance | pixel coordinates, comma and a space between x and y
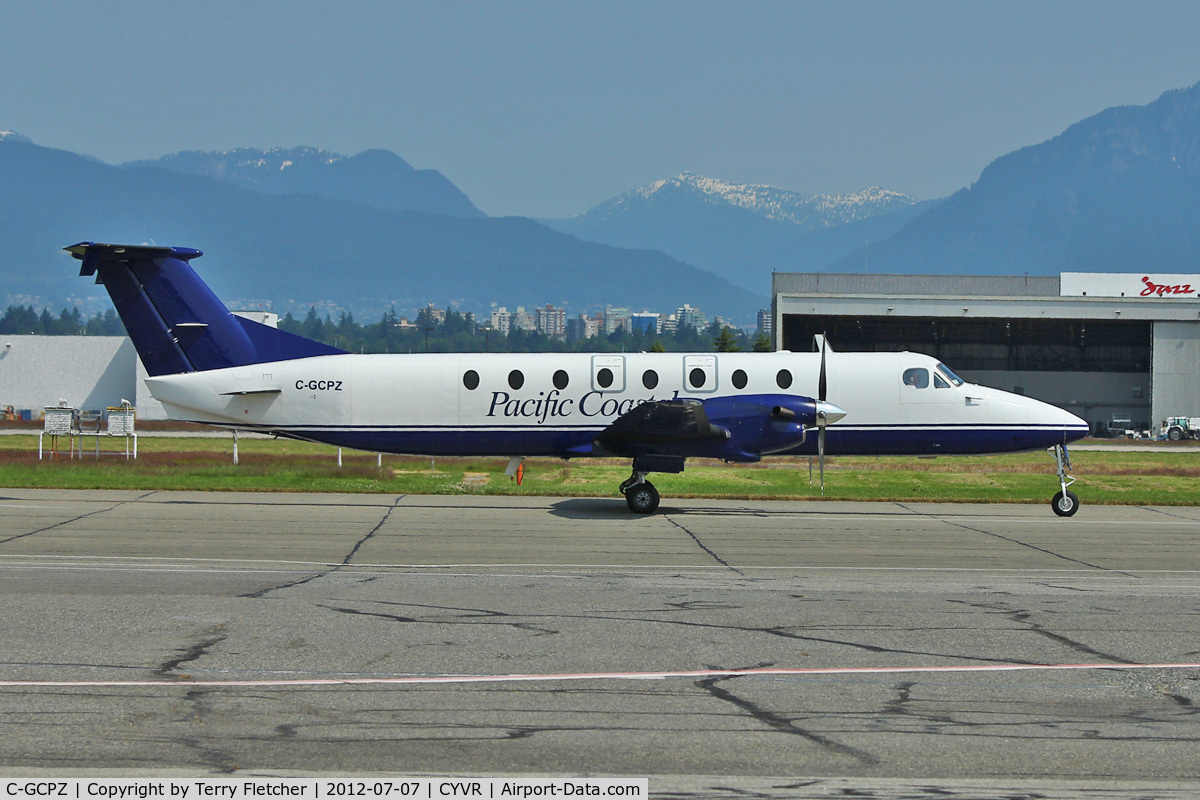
455, 334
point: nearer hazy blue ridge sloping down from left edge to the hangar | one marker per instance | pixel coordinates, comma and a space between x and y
296, 250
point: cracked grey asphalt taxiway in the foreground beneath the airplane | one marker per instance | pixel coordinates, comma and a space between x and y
709, 646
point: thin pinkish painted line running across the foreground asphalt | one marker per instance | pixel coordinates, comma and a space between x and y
701, 675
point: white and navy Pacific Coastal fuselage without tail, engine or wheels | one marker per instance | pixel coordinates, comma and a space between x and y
555, 405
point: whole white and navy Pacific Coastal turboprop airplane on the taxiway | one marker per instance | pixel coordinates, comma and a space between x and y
658, 410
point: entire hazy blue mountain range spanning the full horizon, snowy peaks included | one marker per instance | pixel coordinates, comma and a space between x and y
1119, 191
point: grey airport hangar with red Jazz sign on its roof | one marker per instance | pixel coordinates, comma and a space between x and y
1108, 347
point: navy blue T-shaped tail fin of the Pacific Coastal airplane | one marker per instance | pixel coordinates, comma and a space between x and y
175, 320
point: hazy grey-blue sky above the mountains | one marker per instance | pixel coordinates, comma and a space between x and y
548, 109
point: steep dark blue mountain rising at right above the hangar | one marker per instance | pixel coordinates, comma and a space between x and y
1117, 193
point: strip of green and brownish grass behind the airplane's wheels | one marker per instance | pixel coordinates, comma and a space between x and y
1168, 478
